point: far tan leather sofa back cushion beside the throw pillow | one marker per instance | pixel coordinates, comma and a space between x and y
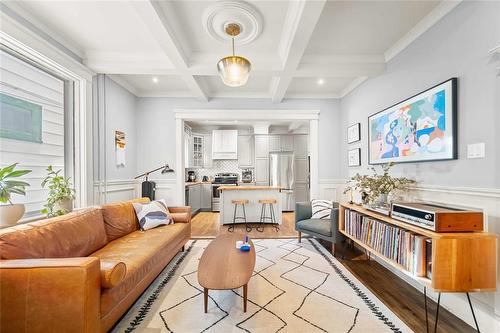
120, 218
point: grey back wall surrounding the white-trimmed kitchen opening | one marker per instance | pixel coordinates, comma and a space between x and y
156, 128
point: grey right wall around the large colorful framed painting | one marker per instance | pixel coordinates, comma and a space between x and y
457, 46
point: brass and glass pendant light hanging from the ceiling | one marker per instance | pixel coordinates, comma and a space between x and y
234, 70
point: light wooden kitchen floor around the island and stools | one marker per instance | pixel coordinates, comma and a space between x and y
206, 225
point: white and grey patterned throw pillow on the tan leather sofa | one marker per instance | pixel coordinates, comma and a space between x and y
152, 214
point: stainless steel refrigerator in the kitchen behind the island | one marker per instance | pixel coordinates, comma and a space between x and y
281, 174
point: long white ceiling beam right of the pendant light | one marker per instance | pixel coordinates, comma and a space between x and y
301, 19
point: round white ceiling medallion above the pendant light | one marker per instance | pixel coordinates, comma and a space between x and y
218, 16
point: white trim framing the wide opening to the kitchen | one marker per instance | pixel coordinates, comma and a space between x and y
182, 115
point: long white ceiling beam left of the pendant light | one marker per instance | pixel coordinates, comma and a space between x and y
154, 18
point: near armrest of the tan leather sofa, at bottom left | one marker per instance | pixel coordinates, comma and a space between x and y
50, 295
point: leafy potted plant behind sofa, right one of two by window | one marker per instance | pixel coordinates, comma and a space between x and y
61, 194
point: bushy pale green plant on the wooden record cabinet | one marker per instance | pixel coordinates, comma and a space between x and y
378, 185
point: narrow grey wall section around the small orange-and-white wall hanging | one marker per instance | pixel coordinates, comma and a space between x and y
120, 116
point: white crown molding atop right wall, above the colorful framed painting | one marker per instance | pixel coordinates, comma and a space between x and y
441, 10
